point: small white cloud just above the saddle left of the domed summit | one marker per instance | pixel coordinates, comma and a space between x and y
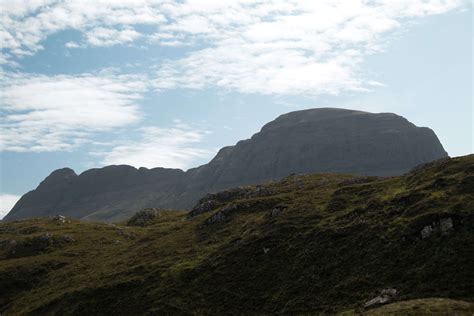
173, 147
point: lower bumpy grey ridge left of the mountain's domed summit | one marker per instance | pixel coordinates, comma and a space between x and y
110, 193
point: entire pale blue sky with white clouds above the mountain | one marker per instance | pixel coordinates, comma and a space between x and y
85, 84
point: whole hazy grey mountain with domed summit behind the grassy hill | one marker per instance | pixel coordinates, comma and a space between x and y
315, 140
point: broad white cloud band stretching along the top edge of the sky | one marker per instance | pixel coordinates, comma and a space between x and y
269, 47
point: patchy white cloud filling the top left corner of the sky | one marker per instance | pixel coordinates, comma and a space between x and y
26, 23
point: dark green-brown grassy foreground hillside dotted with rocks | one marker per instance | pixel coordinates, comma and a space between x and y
306, 244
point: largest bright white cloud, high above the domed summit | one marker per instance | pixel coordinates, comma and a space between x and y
292, 47
